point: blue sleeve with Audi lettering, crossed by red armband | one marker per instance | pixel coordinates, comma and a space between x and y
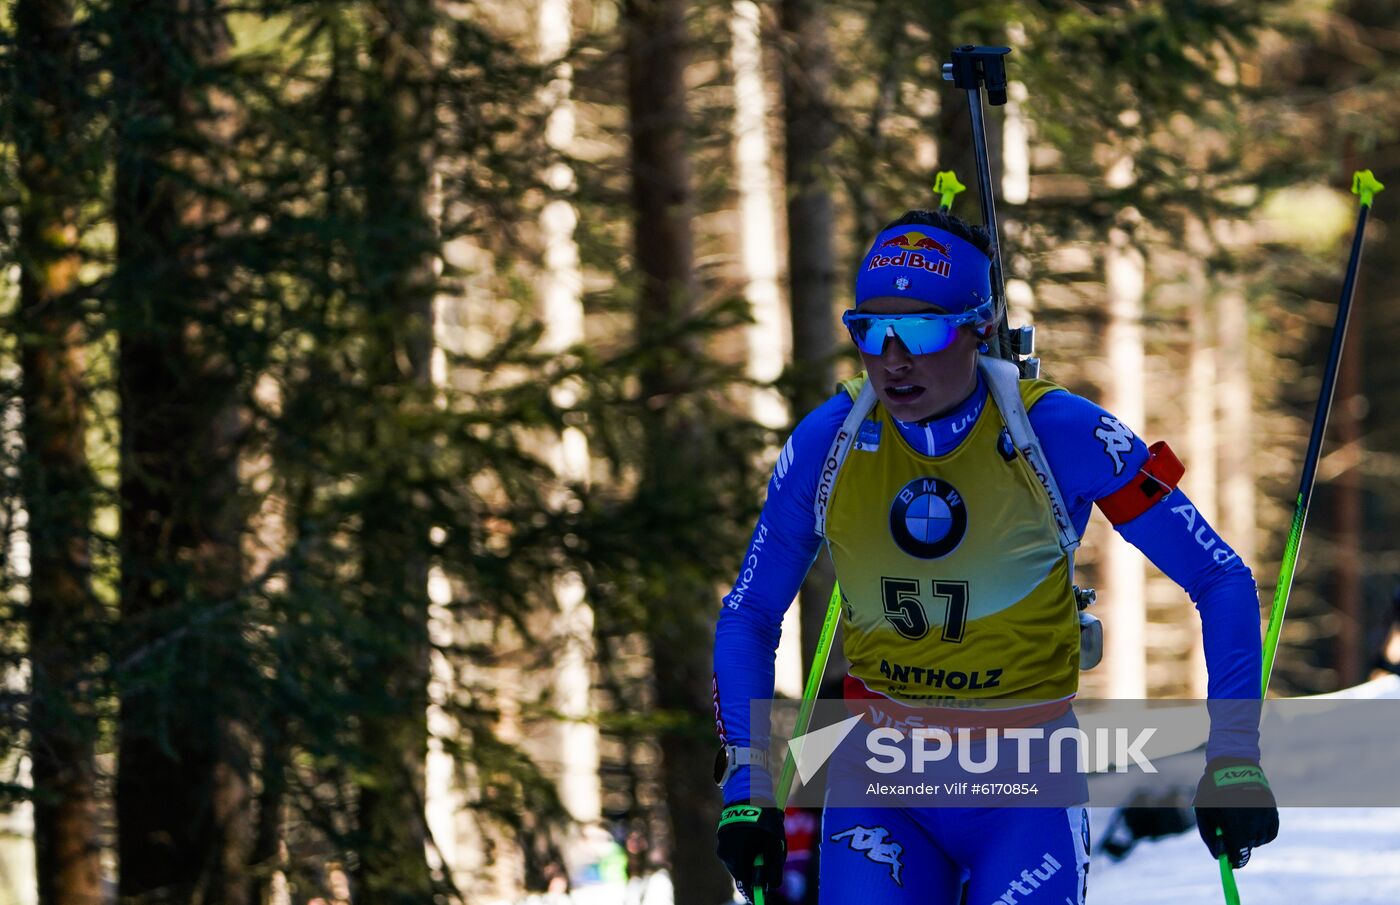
1093, 455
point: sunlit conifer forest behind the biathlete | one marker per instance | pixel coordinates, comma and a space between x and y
388, 390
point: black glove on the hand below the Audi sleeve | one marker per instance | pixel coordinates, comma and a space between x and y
1235, 809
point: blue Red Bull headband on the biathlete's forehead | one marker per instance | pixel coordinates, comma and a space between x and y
927, 264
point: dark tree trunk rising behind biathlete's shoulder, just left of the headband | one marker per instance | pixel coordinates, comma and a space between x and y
808, 134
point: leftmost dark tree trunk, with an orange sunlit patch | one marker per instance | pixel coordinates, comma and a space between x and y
58, 485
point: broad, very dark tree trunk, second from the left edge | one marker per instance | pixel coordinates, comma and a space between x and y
183, 789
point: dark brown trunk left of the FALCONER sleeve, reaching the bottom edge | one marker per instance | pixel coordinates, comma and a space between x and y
657, 48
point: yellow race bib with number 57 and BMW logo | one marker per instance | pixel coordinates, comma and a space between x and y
954, 582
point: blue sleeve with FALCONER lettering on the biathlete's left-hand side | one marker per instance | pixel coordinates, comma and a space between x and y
780, 554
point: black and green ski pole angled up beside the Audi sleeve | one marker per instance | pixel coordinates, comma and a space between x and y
1364, 186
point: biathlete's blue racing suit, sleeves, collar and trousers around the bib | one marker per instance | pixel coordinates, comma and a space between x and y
1004, 855
